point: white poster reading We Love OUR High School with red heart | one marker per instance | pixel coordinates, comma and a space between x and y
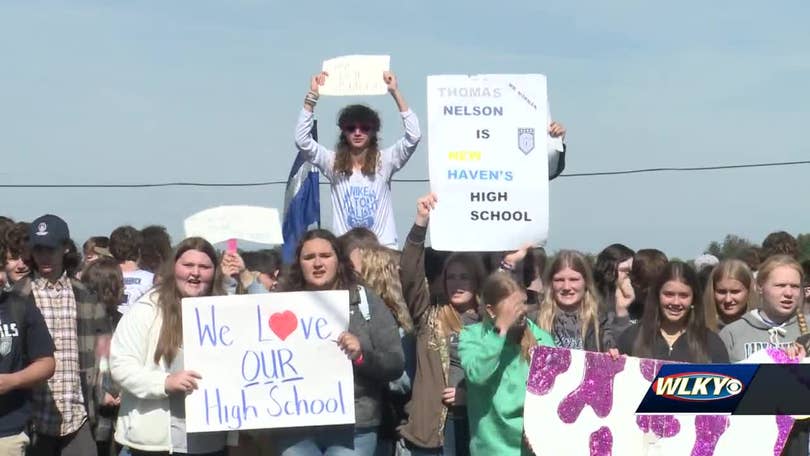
267, 361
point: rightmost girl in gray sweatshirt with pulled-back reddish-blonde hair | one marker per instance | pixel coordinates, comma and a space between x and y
779, 320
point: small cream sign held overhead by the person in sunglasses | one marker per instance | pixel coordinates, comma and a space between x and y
353, 75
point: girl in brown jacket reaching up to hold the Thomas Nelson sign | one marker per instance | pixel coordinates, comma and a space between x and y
437, 414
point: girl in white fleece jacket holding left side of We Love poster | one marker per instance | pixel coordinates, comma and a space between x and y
146, 360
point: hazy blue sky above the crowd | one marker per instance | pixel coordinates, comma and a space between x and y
133, 92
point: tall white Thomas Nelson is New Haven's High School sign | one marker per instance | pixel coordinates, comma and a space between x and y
488, 160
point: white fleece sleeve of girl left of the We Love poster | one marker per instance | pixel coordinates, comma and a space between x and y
128, 355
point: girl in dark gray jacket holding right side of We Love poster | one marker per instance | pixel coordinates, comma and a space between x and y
371, 342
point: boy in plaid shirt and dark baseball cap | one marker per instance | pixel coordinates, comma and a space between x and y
64, 410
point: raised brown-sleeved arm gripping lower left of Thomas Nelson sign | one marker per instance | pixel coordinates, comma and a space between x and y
415, 289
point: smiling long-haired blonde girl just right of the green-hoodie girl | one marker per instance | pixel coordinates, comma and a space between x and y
570, 310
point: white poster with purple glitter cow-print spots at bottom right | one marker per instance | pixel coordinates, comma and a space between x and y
591, 400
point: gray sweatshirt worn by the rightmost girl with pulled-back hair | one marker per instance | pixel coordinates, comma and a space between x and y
751, 334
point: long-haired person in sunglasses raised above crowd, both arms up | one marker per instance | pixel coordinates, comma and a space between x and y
358, 170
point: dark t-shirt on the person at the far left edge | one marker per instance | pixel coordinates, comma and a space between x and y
24, 337
